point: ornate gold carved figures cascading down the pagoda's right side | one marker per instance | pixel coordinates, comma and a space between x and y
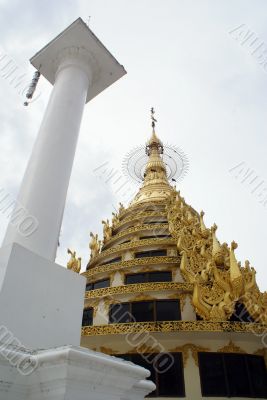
219, 280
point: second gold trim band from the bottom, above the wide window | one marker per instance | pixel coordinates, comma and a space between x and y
138, 288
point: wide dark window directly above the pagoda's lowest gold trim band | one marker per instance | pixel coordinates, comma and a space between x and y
145, 311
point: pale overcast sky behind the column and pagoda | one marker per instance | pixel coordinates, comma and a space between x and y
210, 96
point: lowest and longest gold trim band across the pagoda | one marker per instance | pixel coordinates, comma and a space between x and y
174, 326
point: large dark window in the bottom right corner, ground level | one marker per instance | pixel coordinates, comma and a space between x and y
232, 375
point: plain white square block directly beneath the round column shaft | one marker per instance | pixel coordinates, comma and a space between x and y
41, 303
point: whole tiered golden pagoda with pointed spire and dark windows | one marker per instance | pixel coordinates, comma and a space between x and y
164, 293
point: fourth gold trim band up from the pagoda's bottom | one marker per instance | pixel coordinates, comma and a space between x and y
133, 245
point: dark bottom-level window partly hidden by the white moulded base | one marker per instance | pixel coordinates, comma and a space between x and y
166, 370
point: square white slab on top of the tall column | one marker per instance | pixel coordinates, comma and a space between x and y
77, 44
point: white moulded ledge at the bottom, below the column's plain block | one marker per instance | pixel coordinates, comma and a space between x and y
72, 373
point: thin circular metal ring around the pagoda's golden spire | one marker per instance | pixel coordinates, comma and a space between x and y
176, 161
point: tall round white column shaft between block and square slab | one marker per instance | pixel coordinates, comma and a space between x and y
45, 183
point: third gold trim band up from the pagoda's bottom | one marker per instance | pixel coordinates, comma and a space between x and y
130, 263
